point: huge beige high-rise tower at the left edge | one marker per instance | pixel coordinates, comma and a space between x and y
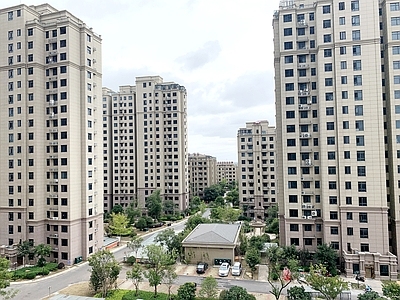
53, 191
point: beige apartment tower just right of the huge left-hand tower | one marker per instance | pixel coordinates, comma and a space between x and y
145, 143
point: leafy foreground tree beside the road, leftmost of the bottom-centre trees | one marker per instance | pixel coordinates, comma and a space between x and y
104, 271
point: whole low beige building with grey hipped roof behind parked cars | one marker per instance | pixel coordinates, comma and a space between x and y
212, 243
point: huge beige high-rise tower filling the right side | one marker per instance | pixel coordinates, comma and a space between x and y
337, 76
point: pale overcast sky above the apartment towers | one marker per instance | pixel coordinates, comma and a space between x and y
220, 50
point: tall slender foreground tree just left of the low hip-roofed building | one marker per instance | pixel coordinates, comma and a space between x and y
159, 260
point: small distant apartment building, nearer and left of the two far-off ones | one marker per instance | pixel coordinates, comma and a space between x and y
202, 173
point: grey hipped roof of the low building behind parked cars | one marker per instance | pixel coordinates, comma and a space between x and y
213, 234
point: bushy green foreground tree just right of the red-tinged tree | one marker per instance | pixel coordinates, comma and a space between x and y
329, 287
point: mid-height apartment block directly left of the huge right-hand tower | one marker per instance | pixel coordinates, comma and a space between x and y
256, 169
